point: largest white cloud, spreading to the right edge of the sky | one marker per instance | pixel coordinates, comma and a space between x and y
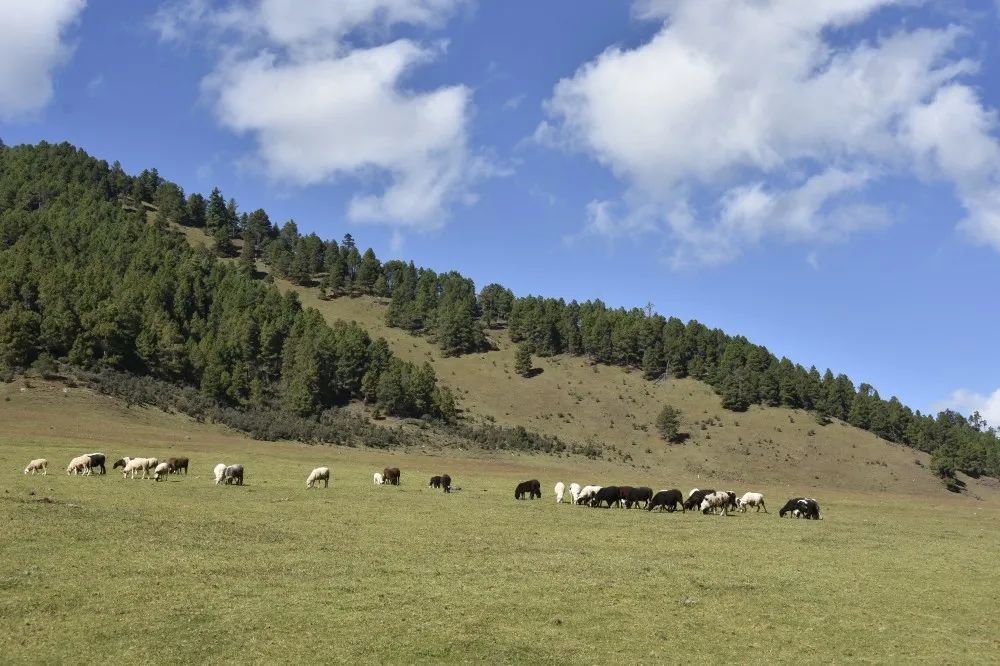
740, 122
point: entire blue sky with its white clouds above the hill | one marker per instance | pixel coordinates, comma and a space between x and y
822, 177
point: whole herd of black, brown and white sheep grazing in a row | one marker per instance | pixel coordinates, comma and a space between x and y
719, 502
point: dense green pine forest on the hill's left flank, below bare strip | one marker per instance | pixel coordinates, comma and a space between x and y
86, 280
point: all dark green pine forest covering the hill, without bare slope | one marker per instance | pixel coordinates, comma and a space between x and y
83, 279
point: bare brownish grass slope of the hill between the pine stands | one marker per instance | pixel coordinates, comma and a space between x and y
582, 402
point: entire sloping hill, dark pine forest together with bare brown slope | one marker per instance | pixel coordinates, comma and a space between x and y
94, 282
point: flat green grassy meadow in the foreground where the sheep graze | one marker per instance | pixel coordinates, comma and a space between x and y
106, 569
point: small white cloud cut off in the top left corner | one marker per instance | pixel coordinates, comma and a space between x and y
32, 44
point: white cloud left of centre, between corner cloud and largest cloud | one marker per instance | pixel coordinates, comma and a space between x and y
321, 109
